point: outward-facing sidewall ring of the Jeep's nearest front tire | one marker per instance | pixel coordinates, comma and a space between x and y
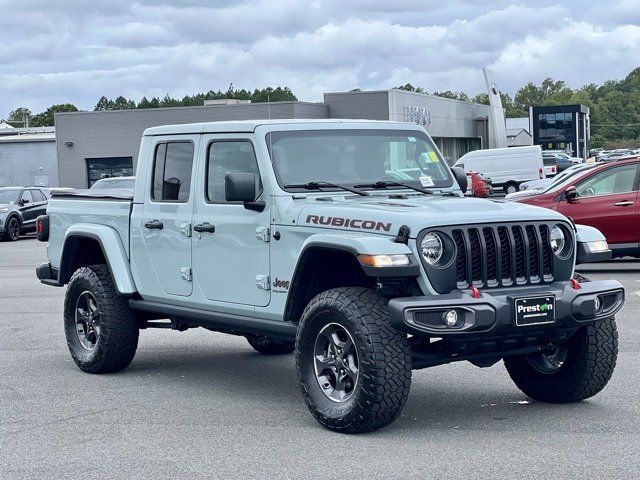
317, 399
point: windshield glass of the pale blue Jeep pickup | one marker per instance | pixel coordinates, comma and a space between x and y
351, 157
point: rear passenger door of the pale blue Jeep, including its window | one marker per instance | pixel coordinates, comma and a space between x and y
165, 221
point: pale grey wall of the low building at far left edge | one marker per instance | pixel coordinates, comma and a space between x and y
28, 163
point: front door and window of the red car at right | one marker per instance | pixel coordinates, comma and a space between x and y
607, 200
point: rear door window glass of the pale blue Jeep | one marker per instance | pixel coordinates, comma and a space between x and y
172, 172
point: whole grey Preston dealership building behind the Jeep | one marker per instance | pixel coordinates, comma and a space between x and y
93, 145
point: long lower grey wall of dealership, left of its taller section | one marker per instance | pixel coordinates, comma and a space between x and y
117, 133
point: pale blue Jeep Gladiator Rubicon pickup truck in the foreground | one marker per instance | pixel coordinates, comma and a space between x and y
348, 242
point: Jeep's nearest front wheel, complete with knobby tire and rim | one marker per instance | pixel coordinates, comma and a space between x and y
354, 369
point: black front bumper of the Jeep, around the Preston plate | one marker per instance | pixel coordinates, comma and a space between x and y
492, 314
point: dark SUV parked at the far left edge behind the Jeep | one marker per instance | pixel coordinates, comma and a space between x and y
19, 208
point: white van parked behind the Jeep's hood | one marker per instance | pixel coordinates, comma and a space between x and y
506, 167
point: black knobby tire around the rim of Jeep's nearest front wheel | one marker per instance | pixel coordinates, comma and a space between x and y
384, 360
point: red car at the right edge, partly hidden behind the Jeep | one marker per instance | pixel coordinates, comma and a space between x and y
604, 197
